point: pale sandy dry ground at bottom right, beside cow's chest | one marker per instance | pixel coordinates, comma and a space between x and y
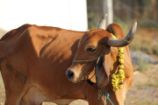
145, 88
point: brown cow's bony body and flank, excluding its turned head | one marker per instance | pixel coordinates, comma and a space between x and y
33, 61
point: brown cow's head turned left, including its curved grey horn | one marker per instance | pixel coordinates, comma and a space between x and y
92, 45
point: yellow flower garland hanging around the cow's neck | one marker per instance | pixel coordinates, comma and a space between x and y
119, 76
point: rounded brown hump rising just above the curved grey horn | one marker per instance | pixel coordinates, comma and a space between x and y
115, 29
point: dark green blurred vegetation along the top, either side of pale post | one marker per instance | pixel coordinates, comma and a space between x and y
145, 11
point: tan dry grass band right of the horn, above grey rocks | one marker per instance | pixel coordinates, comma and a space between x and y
146, 40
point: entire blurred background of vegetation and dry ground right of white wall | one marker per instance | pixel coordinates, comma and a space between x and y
144, 48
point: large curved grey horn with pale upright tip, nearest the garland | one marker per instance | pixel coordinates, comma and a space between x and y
126, 40
